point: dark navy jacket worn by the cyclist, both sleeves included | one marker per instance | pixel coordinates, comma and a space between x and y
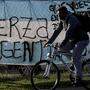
74, 33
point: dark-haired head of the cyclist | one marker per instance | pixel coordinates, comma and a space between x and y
63, 12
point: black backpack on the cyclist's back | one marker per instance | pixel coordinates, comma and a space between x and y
85, 21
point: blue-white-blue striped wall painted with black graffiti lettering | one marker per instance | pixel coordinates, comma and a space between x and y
23, 23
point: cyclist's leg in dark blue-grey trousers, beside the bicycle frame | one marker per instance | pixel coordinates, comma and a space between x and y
77, 53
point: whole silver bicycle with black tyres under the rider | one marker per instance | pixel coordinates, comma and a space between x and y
47, 71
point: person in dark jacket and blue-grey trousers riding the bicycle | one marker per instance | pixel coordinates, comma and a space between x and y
75, 39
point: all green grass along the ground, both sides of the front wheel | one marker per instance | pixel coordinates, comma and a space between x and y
15, 81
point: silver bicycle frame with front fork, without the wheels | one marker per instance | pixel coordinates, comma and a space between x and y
51, 57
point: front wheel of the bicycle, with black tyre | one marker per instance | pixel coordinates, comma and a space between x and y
45, 76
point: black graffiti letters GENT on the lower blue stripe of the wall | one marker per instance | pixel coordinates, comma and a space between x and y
19, 50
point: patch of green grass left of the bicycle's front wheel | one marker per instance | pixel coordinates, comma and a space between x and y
14, 82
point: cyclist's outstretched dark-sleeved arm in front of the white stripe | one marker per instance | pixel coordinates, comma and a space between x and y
56, 33
